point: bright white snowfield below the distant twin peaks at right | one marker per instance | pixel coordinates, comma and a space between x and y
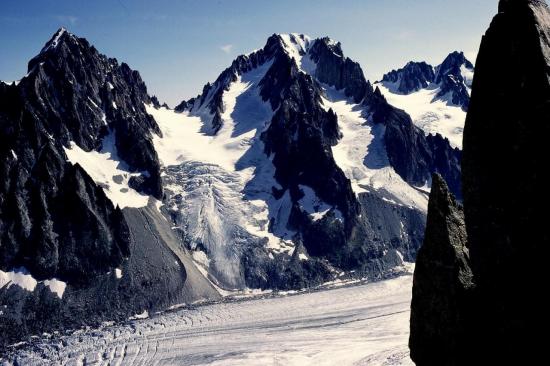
429, 114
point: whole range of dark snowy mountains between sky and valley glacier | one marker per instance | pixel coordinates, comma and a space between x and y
288, 171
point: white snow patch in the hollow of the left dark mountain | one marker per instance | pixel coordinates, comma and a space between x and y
108, 171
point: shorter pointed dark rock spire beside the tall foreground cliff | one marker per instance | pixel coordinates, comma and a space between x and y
442, 282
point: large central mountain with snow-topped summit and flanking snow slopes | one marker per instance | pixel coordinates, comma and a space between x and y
296, 165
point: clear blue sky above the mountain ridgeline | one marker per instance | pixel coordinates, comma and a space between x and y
179, 45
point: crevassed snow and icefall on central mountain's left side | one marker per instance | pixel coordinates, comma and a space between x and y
220, 186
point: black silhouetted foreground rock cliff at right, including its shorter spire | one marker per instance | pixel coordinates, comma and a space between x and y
507, 244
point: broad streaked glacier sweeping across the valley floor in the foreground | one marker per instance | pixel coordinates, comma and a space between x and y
359, 325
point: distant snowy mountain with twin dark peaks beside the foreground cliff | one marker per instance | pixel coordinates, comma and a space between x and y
436, 98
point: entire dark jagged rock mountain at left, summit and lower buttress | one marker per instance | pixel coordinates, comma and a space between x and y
73, 99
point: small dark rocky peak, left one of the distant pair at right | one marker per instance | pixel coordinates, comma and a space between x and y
413, 77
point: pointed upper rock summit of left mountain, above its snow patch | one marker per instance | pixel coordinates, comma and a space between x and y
98, 96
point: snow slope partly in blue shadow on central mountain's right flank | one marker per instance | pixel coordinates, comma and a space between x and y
361, 154
